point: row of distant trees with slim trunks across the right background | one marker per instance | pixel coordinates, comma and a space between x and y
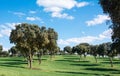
85, 49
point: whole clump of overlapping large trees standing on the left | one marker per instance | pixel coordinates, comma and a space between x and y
30, 39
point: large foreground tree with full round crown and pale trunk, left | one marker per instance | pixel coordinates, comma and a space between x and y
25, 36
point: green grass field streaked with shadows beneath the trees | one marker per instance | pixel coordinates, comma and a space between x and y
67, 65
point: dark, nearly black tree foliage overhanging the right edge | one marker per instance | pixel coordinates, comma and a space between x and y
112, 8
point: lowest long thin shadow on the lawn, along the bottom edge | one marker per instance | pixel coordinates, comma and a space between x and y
83, 73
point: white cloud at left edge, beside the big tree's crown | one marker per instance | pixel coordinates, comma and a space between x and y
6, 29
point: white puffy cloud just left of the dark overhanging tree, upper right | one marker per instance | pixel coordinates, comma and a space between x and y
97, 20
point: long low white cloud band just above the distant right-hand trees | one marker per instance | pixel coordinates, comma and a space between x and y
86, 39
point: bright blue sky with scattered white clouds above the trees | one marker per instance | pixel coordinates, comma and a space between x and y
76, 21
